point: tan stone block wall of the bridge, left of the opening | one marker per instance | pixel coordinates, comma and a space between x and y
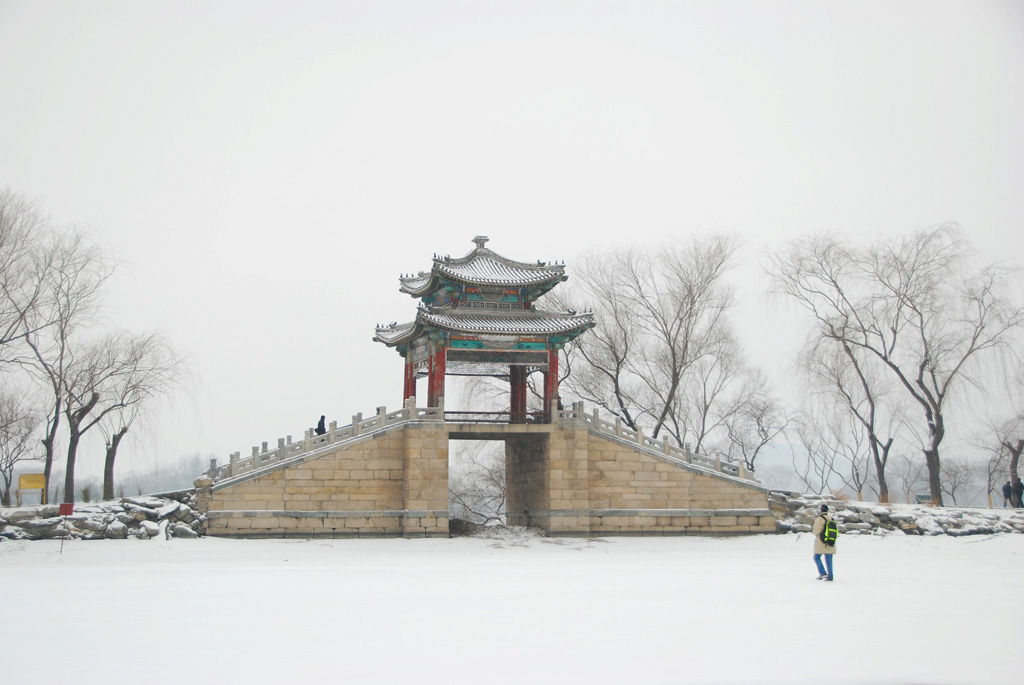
391, 484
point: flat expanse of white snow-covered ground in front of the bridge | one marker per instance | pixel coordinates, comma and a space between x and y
516, 609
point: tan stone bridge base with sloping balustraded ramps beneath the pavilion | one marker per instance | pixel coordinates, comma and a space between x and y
389, 477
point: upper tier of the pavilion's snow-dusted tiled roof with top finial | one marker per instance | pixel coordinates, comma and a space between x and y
483, 268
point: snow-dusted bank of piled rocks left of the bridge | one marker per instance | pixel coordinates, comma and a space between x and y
166, 516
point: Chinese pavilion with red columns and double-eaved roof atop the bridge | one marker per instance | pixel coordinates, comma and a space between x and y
478, 318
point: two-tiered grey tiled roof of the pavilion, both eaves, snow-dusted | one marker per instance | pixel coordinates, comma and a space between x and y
474, 277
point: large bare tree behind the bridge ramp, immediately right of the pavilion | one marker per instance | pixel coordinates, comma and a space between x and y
661, 312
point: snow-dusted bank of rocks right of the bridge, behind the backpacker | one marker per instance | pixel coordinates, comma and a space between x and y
797, 513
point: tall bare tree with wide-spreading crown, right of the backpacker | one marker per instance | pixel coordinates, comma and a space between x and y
917, 307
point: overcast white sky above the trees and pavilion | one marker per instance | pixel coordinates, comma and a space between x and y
267, 170
